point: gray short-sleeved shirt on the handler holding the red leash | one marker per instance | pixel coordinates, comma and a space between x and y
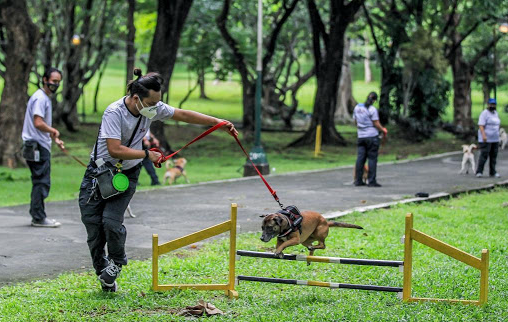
119, 123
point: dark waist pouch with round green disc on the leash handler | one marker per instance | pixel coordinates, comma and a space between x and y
111, 182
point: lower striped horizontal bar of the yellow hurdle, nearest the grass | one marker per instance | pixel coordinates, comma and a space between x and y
321, 284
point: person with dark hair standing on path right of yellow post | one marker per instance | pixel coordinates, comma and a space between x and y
367, 122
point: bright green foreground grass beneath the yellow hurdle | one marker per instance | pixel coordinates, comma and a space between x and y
470, 222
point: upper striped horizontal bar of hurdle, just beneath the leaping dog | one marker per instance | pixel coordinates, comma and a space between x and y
321, 259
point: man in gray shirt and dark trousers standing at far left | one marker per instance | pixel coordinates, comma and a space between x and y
37, 135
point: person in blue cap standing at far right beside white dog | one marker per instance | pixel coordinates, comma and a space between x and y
488, 139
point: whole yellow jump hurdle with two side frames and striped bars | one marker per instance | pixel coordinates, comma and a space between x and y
406, 265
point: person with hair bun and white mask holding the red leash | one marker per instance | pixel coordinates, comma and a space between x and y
118, 148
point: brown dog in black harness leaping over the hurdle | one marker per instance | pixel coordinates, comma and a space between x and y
314, 228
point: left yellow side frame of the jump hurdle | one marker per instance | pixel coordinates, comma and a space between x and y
158, 250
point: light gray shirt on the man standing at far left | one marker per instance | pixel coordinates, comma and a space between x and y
39, 104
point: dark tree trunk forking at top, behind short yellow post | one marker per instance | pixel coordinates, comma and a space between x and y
328, 49
